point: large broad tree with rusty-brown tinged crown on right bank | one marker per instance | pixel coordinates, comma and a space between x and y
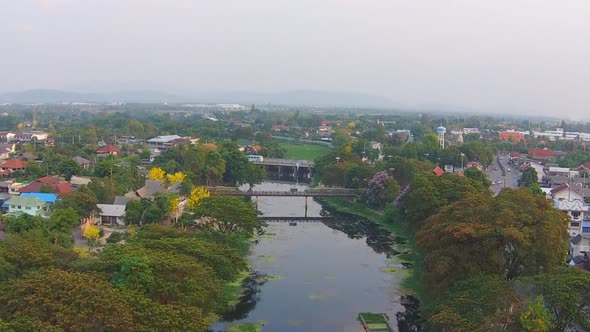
515, 233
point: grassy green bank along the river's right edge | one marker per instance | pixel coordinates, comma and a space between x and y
408, 255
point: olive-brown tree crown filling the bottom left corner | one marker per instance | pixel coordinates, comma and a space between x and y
73, 301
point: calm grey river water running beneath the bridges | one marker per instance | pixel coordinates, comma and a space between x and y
317, 276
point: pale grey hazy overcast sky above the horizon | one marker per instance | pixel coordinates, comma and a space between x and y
529, 56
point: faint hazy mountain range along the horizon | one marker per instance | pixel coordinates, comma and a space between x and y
294, 98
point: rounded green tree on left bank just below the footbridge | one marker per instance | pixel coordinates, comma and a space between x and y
228, 215
